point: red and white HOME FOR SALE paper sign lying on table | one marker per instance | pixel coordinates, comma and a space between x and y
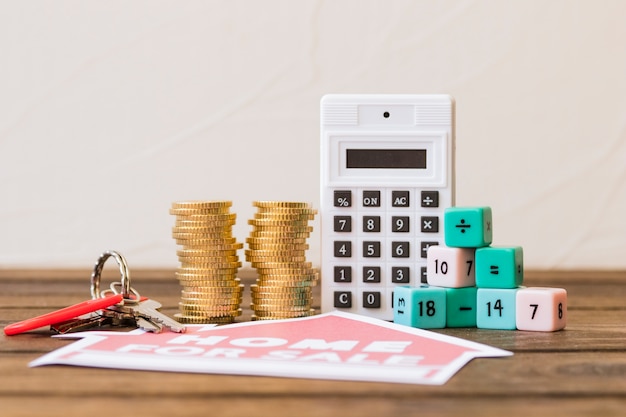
339, 346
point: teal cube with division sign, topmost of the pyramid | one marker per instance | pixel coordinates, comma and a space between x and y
468, 227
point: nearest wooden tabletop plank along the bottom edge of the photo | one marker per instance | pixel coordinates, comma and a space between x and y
314, 406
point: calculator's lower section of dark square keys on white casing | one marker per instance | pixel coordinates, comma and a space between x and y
379, 241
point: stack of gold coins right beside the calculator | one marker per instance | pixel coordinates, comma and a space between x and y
277, 250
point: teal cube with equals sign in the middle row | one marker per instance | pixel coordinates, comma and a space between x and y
499, 267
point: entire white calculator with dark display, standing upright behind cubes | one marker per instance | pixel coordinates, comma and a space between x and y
387, 174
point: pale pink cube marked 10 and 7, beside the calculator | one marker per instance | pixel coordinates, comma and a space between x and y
450, 267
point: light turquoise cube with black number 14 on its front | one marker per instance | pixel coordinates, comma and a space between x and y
496, 308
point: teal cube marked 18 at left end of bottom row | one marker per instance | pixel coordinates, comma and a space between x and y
423, 307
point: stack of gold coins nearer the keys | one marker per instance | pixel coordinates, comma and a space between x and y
209, 262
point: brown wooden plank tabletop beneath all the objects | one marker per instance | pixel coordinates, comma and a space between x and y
578, 371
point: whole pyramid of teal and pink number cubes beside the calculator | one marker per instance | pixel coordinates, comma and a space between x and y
473, 284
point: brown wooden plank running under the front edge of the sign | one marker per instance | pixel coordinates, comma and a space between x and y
568, 374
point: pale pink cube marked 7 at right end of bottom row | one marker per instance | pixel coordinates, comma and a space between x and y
541, 309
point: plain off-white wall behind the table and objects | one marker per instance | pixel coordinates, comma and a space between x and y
109, 111
